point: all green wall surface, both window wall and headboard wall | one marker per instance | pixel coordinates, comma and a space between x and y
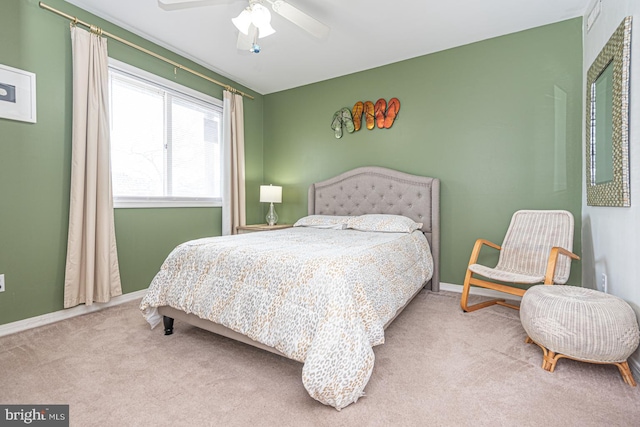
485, 118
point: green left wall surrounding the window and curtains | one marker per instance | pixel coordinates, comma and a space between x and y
35, 165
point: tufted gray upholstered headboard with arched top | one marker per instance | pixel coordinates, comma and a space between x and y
380, 190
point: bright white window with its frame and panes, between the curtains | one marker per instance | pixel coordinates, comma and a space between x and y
166, 142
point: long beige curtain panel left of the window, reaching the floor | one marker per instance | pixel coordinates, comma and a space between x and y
92, 273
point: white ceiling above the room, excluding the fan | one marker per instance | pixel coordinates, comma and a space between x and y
364, 33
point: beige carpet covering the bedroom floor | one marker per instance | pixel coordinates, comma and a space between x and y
439, 367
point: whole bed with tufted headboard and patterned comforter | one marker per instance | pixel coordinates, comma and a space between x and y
321, 292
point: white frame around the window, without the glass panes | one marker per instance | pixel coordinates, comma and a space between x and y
120, 202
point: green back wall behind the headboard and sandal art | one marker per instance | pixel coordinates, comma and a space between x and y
489, 119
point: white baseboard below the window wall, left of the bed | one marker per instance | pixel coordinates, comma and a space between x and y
56, 316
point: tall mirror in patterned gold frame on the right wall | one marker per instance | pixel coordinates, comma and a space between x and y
607, 122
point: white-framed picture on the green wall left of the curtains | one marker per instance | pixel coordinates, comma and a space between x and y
17, 94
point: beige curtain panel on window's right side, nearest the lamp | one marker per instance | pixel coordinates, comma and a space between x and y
233, 209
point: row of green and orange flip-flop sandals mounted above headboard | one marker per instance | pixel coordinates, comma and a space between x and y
381, 114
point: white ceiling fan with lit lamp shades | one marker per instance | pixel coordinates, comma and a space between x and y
254, 22
